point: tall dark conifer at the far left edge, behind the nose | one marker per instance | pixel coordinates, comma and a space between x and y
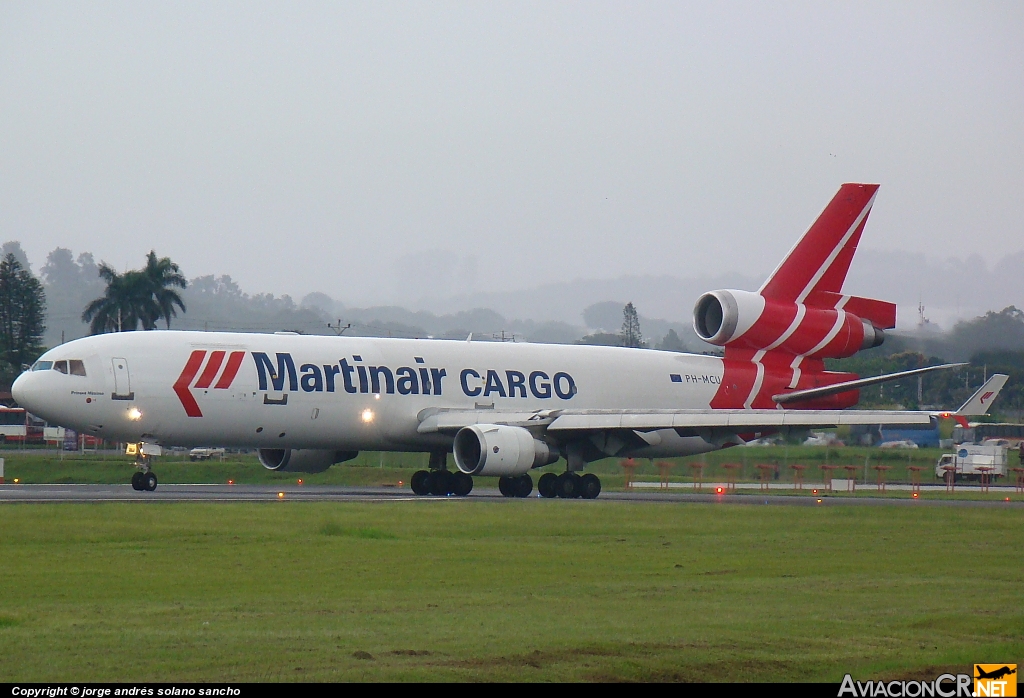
23, 310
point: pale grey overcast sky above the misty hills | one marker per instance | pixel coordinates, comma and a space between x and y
371, 151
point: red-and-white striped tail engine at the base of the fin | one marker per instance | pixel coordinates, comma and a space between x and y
748, 321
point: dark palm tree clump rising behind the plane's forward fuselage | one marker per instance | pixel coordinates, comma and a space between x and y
137, 297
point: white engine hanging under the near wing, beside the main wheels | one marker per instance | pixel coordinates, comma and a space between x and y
494, 450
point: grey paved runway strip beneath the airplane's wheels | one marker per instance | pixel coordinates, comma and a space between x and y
221, 494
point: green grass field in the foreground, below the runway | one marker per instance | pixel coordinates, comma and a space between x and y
509, 590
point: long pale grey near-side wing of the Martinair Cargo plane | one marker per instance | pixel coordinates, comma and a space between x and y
735, 421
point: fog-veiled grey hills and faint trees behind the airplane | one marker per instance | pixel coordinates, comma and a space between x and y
562, 313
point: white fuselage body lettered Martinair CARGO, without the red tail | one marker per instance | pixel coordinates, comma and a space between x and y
178, 388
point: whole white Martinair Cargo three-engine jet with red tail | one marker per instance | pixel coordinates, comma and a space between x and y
306, 403
